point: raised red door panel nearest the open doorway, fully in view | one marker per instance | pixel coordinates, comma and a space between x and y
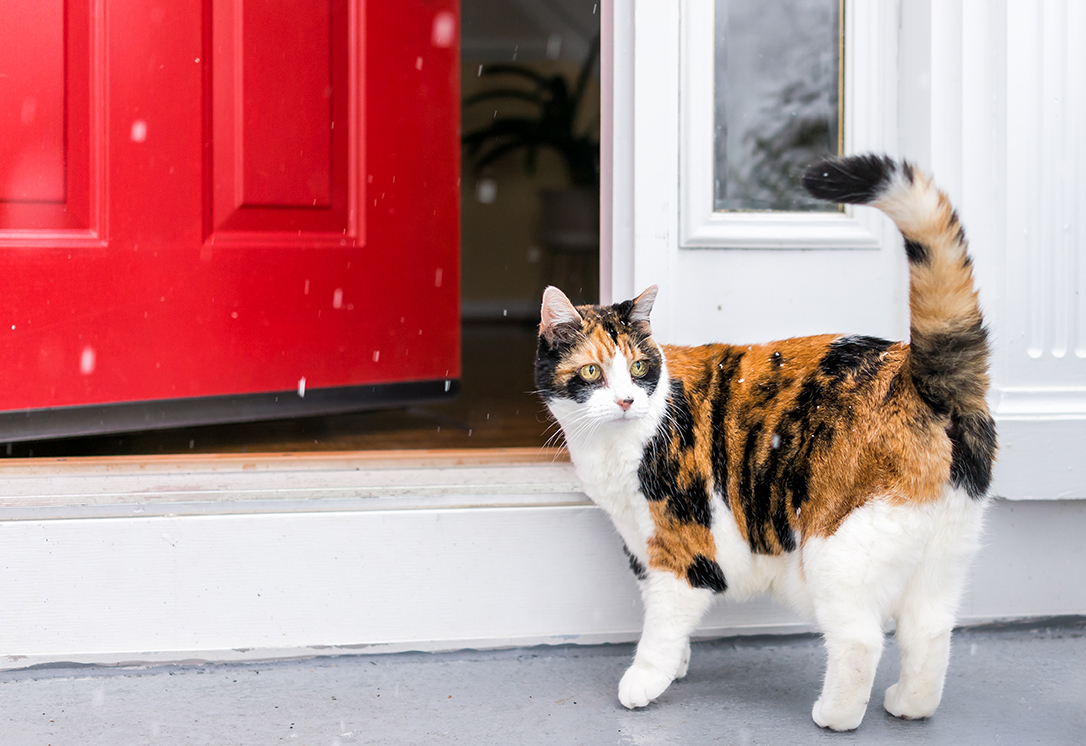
284, 154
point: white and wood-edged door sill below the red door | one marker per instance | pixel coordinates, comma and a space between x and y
116, 487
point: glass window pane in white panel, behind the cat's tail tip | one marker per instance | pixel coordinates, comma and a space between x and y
778, 100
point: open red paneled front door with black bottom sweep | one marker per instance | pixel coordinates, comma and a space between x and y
229, 210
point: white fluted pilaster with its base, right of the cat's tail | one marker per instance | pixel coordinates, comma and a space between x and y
1025, 203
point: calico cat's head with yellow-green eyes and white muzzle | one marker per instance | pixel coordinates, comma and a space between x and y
601, 361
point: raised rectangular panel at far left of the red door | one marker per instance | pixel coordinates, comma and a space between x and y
52, 135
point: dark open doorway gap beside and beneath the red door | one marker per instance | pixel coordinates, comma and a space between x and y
529, 219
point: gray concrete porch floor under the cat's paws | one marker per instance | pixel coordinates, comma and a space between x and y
1006, 686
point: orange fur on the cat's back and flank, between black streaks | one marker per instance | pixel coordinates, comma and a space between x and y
891, 447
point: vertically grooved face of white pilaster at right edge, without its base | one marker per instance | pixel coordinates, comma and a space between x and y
1046, 221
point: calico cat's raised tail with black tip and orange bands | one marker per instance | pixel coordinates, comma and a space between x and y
949, 342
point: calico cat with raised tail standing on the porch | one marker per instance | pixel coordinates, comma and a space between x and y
848, 475
